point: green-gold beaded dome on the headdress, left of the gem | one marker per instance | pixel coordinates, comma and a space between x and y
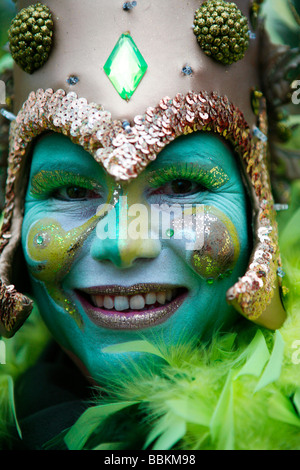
30, 37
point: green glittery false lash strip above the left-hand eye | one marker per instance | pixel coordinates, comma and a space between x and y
45, 182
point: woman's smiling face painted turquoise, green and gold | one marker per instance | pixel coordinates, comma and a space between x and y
153, 258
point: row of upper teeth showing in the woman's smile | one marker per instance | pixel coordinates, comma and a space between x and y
134, 302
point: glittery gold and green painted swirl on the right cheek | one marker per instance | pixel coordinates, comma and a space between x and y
216, 242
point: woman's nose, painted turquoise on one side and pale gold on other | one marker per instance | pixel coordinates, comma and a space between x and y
117, 241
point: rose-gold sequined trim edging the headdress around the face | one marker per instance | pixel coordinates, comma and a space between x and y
124, 153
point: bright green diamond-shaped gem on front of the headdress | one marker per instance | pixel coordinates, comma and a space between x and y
125, 66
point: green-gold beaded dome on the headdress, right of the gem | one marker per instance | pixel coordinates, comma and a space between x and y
222, 31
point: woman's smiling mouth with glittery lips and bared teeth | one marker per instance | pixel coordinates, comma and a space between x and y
127, 308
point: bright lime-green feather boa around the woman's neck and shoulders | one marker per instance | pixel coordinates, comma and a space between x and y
242, 391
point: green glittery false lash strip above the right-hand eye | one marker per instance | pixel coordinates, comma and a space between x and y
212, 178
